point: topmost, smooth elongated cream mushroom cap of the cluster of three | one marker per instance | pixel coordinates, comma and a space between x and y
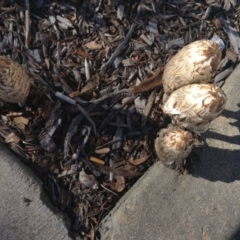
194, 63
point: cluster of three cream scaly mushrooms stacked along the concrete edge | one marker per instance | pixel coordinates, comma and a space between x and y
190, 100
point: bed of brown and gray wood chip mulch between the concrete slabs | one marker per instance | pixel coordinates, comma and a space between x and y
83, 130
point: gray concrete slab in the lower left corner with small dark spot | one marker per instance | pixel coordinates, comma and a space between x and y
17, 220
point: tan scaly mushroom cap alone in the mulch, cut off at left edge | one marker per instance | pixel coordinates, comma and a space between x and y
14, 81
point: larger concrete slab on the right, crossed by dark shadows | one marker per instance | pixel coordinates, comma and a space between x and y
202, 205
